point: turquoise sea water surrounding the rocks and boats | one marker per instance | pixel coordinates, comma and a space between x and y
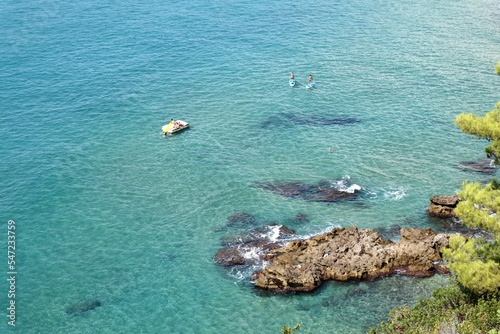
107, 209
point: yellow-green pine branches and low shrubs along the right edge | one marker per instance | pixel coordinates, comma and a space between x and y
471, 303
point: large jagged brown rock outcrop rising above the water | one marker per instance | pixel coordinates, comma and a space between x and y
350, 253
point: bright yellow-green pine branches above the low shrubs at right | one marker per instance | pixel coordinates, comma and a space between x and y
476, 263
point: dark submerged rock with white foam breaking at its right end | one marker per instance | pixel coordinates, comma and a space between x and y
324, 191
